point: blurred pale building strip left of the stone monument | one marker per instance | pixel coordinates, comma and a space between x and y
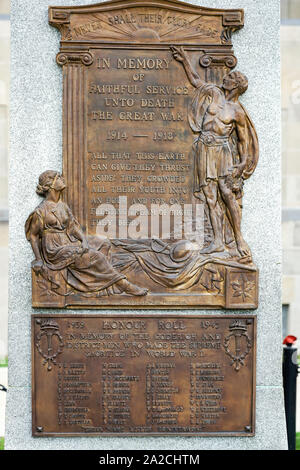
4, 101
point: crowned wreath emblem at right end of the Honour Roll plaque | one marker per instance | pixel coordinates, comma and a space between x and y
238, 332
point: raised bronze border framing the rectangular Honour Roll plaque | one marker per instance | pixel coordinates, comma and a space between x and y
36, 433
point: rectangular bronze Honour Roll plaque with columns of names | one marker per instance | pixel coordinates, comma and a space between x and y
143, 375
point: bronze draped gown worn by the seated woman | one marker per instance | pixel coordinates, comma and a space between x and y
61, 250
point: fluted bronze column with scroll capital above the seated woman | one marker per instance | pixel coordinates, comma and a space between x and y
74, 128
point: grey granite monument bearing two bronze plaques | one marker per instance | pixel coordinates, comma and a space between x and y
148, 114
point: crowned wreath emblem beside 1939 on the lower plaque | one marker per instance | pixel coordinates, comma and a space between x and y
49, 329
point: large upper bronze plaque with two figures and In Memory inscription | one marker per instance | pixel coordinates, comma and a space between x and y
156, 150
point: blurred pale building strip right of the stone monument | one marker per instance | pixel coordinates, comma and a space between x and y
290, 57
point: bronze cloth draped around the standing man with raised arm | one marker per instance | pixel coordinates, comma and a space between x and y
214, 156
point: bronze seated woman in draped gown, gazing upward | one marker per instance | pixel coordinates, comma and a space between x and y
60, 247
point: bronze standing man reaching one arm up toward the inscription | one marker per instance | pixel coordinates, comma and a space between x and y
215, 114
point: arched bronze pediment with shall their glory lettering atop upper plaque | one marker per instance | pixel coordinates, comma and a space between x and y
155, 22
